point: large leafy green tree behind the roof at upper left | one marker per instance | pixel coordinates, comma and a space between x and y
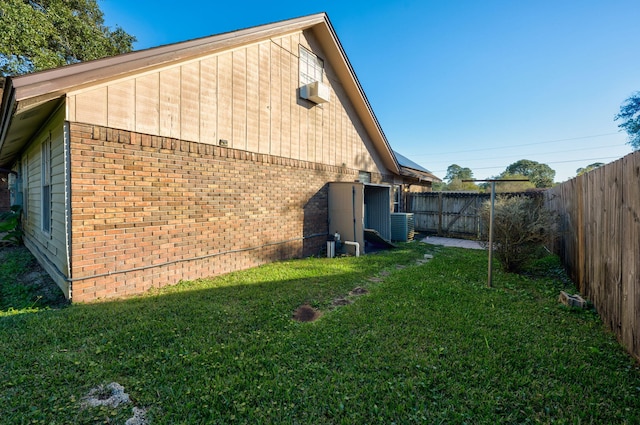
44, 34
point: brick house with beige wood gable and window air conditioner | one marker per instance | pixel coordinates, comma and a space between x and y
188, 160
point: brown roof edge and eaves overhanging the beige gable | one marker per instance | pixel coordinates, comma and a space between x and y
28, 100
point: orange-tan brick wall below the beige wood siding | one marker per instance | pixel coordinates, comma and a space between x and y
150, 211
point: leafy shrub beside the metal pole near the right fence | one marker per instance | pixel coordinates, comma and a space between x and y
521, 226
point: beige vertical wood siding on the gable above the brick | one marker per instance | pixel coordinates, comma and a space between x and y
247, 98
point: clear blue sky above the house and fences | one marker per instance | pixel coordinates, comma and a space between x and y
481, 84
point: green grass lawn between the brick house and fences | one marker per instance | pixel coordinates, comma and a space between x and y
429, 343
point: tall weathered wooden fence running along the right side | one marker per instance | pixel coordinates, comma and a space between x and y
599, 242
